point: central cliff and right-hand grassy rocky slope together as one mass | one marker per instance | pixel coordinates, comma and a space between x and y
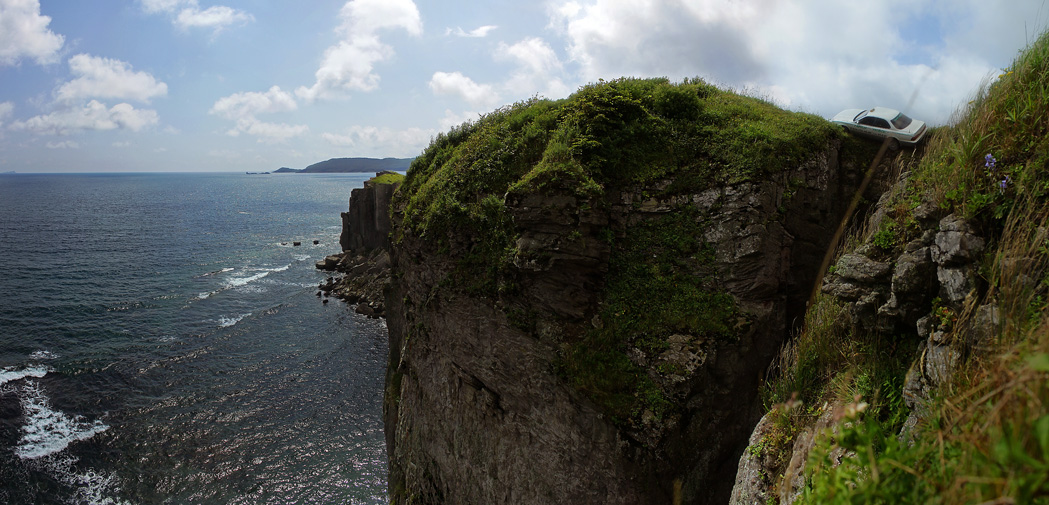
595, 301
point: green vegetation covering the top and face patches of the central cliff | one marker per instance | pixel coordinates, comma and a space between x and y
610, 137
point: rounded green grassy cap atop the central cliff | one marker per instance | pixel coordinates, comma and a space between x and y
619, 134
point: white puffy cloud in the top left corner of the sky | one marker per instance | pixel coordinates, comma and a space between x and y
25, 34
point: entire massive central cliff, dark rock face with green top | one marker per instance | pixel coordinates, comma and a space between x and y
563, 333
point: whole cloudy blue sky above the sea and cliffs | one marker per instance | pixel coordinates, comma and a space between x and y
233, 86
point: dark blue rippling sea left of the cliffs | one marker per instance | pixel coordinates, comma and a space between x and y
162, 342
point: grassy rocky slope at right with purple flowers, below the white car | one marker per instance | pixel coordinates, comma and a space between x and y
923, 372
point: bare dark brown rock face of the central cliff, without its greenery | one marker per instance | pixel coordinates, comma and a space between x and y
478, 410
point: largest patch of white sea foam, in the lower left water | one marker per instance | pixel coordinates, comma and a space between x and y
48, 431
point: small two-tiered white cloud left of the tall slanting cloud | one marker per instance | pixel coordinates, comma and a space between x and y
243, 109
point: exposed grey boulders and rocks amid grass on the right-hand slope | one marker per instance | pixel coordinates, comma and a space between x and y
915, 289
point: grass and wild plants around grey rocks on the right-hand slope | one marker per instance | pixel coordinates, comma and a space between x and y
986, 438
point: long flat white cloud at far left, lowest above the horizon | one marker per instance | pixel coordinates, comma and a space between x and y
94, 116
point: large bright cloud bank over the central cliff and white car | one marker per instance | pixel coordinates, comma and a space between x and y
820, 56
